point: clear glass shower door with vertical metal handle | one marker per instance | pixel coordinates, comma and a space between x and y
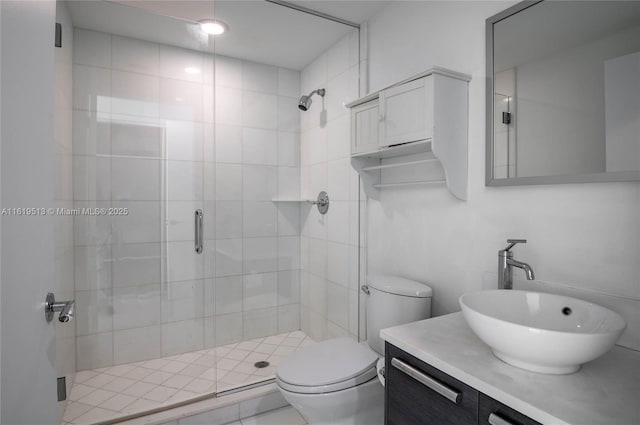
143, 154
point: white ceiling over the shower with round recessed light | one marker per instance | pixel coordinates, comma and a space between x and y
258, 30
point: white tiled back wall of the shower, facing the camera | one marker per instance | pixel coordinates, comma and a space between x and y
144, 140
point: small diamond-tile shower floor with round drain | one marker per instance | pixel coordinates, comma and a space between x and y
107, 393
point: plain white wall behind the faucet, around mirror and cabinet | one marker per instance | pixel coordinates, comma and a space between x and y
583, 239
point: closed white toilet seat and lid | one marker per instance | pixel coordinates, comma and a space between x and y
327, 366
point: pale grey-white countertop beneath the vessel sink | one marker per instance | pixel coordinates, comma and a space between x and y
605, 391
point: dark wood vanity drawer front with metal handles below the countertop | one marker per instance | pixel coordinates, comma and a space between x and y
419, 394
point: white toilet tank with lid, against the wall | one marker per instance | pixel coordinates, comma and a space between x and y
392, 301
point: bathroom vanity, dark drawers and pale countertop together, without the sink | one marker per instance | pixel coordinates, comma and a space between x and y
439, 372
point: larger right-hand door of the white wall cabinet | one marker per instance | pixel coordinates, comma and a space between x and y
407, 112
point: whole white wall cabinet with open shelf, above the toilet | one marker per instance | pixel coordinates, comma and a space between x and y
414, 132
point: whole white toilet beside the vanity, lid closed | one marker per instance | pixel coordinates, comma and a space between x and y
336, 381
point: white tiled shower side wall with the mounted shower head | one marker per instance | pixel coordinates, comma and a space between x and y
329, 243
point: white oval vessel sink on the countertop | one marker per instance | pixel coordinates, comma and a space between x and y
541, 332
